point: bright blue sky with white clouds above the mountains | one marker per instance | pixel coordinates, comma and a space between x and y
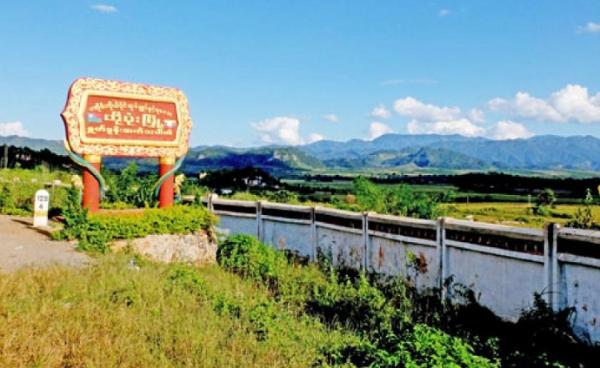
258, 72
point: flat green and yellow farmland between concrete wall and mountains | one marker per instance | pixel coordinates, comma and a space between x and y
512, 206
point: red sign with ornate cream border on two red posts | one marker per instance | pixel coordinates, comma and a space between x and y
112, 118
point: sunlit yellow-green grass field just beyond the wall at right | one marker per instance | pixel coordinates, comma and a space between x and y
516, 214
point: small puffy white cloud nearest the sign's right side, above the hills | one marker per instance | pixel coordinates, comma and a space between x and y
283, 130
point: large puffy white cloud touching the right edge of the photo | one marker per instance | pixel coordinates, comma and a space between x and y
572, 103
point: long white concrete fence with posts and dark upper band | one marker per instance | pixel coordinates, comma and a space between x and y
504, 266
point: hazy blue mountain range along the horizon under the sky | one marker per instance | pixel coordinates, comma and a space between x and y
391, 152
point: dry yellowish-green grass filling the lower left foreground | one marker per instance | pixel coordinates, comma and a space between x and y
126, 314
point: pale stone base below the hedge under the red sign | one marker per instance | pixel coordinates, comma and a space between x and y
198, 248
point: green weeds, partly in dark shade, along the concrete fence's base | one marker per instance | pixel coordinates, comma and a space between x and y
399, 326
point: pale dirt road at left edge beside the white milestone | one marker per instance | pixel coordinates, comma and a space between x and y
21, 245
